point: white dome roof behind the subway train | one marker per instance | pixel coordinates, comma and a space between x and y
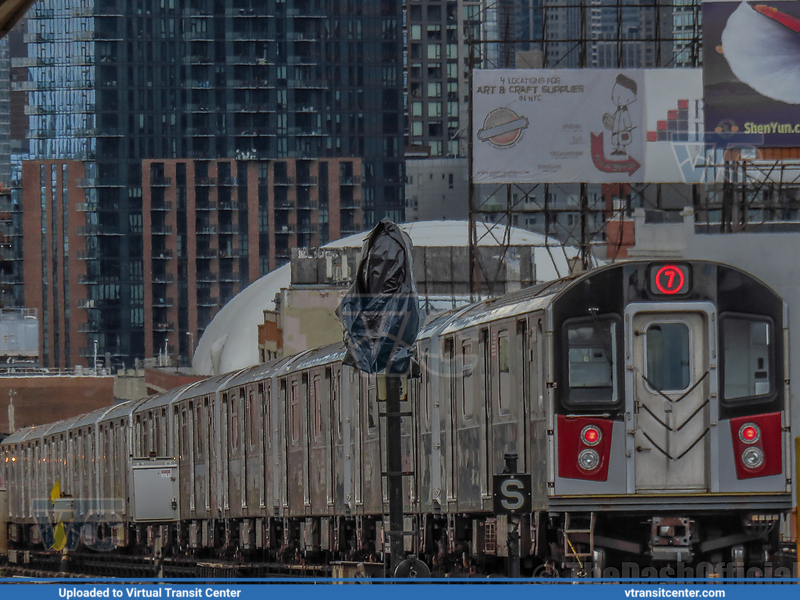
230, 341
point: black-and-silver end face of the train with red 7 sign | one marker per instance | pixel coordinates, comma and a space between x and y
670, 425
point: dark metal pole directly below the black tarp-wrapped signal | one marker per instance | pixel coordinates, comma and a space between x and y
394, 469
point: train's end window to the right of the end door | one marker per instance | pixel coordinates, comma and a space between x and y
747, 366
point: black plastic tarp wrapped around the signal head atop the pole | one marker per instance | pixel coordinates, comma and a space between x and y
380, 312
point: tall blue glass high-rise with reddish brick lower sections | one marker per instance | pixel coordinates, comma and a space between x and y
118, 90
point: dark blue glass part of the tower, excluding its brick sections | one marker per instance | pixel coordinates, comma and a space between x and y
113, 83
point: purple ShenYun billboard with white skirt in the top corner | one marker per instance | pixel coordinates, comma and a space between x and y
751, 72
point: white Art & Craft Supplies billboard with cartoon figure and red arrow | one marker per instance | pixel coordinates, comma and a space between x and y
588, 125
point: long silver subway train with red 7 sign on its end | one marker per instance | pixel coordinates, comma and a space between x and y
647, 401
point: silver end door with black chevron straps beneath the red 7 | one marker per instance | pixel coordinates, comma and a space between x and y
669, 400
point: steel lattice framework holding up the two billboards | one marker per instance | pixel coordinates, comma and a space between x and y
750, 188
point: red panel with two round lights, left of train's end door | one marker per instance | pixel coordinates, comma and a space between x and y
584, 447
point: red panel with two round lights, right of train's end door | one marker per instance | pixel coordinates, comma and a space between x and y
757, 445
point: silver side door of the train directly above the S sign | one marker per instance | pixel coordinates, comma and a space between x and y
507, 401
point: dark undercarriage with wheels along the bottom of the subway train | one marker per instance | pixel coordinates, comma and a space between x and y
542, 544
